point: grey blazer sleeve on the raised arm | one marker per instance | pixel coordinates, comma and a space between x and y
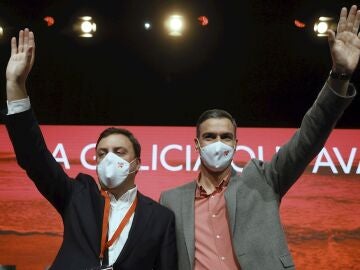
291, 160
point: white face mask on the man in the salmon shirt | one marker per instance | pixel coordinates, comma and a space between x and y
217, 156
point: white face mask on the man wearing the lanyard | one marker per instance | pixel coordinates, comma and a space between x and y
113, 170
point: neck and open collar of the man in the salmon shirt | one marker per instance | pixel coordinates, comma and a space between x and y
209, 180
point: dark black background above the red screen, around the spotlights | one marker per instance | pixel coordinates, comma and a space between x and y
250, 60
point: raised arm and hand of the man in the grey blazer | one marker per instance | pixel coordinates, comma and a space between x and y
291, 160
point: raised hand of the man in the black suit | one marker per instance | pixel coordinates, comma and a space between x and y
20, 63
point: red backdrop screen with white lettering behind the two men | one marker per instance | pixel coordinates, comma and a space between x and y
321, 213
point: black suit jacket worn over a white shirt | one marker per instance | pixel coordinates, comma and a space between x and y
151, 243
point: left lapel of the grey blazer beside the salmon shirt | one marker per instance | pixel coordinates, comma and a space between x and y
188, 219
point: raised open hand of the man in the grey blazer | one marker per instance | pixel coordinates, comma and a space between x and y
345, 44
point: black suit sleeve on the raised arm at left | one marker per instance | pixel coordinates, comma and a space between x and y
34, 157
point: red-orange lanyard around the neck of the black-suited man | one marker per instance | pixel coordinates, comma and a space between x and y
106, 244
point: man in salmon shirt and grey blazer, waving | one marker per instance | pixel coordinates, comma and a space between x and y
228, 221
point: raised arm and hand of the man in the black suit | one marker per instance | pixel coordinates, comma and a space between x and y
29, 145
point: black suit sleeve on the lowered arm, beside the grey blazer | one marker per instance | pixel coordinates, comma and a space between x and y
168, 258
